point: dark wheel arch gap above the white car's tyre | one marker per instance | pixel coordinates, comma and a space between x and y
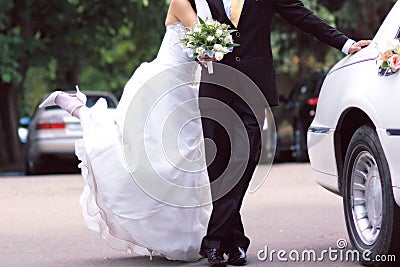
348, 123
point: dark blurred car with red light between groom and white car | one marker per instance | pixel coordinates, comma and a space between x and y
293, 117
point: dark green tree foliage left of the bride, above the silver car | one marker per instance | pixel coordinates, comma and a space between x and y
94, 43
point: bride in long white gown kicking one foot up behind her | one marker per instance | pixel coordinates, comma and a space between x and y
146, 181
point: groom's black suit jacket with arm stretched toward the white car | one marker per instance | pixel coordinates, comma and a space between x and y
254, 56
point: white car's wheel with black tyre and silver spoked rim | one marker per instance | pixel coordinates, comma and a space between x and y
371, 214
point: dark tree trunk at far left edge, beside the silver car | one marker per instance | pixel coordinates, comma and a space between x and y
11, 157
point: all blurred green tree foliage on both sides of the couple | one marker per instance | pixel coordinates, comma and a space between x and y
47, 45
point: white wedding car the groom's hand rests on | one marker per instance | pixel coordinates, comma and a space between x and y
354, 144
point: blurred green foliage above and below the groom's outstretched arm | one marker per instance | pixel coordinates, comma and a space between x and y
297, 53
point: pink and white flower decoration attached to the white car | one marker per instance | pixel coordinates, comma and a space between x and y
389, 57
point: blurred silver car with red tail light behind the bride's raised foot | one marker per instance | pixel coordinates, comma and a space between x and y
52, 134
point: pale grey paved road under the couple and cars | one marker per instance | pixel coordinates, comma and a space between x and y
41, 223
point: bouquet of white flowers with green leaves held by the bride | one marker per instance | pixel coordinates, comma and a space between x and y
209, 38
